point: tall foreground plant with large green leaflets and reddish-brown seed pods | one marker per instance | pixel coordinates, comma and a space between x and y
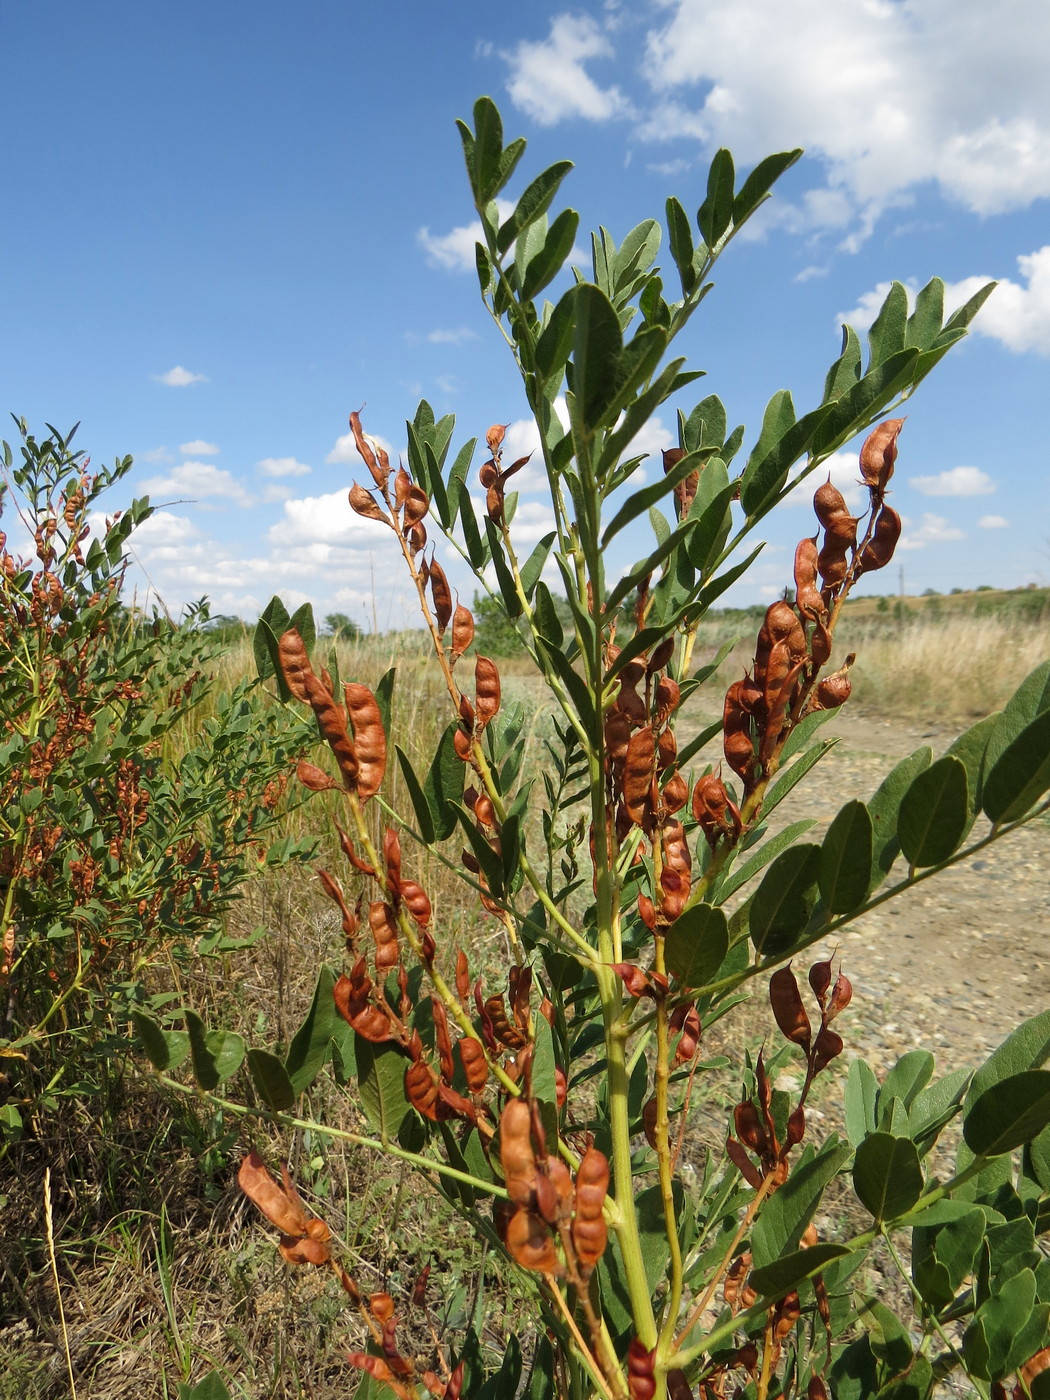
642, 892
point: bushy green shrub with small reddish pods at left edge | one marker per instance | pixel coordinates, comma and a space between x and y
113, 857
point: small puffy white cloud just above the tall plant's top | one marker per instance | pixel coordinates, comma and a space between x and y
548, 78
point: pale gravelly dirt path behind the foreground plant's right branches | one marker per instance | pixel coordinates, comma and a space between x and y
954, 965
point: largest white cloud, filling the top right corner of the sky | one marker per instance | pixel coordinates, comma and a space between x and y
888, 96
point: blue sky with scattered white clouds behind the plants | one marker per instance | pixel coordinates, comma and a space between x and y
229, 225
